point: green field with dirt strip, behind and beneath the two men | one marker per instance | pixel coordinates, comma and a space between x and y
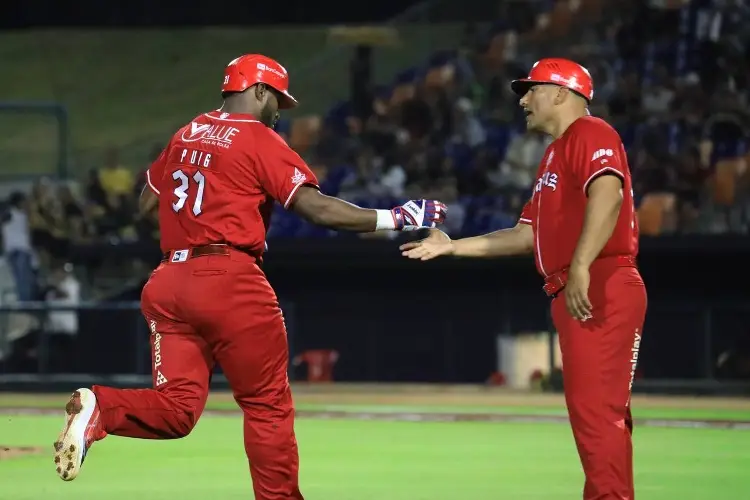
357, 445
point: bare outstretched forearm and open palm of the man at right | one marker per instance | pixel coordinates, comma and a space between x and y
514, 241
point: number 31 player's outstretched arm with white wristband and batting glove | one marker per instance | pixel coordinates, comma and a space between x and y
328, 211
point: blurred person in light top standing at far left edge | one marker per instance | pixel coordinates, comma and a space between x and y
17, 246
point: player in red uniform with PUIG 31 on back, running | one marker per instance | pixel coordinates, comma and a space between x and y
209, 302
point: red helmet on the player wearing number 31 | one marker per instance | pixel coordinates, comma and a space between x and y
245, 71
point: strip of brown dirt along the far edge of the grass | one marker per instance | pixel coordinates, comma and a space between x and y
441, 398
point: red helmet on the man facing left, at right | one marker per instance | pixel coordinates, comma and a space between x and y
556, 71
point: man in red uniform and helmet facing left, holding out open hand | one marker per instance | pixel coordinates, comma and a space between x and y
581, 226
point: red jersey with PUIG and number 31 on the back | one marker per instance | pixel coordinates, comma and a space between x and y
217, 180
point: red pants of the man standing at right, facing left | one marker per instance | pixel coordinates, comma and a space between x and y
599, 358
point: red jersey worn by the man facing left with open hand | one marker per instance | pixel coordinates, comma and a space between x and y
590, 147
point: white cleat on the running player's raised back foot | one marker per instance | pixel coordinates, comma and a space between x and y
81, 430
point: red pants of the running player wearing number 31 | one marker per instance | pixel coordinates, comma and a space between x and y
207, 310
